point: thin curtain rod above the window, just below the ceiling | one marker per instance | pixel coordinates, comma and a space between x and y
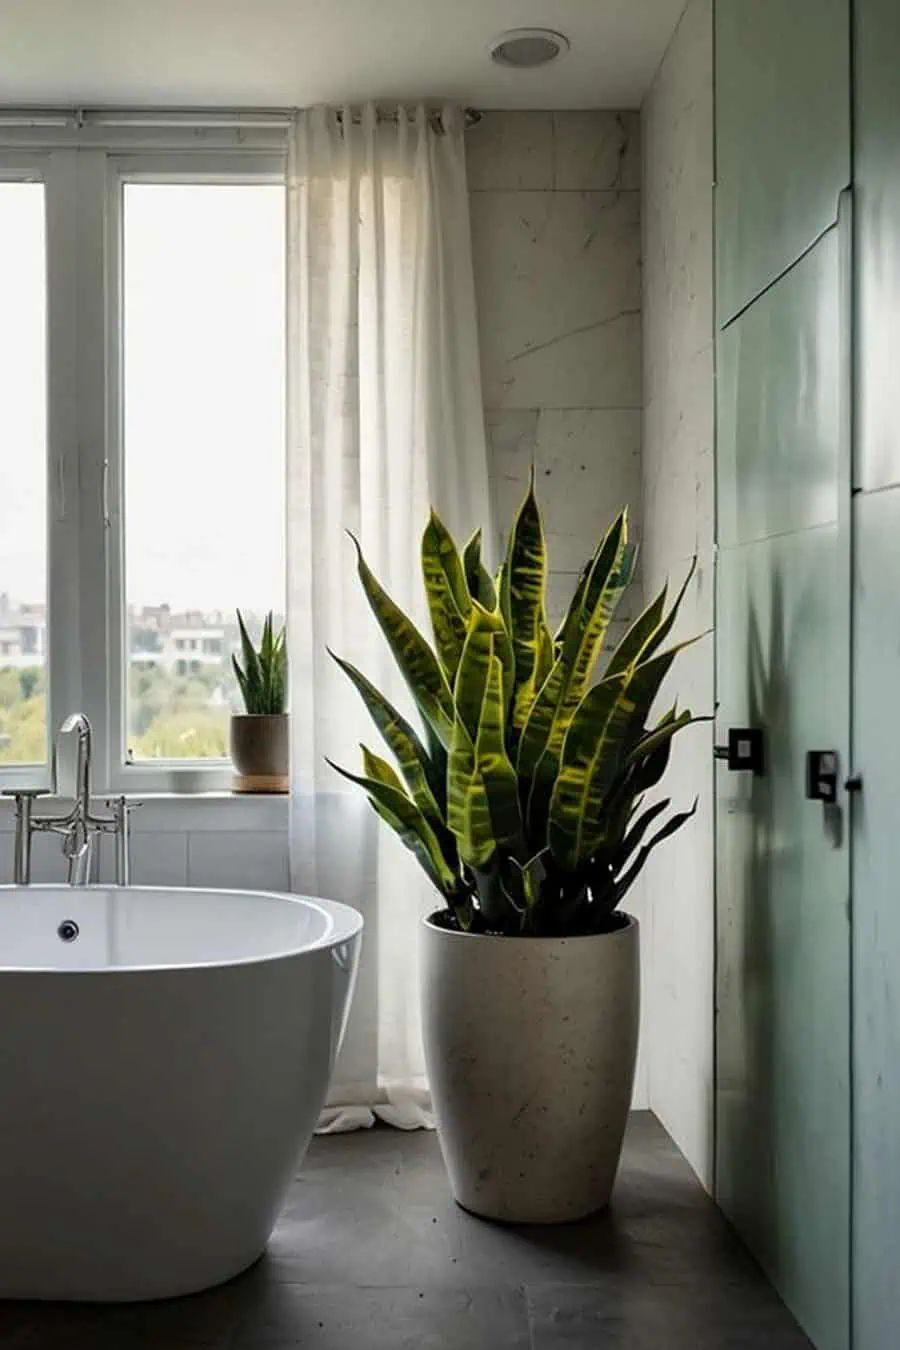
256, 118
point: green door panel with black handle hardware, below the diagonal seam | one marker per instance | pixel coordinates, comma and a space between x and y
783, 642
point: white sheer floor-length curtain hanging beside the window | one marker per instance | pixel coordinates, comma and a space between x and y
385, 419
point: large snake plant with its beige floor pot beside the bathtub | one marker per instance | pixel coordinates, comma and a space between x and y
528, 800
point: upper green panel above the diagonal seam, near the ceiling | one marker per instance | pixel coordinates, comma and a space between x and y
782, 133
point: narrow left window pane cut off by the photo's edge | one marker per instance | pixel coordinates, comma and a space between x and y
24, 476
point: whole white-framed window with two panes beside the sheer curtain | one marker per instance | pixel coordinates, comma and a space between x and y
142, 445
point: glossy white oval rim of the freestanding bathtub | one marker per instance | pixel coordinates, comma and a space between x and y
345, 924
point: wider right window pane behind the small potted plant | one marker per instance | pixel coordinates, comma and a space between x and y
204, 446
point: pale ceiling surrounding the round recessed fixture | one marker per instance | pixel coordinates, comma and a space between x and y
276, 53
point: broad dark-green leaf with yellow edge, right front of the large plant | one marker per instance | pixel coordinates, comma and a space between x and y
592, 757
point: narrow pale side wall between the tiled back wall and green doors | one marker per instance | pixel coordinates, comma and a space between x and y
679, 522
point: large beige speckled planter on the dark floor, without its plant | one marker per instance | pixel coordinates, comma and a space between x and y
531, 1048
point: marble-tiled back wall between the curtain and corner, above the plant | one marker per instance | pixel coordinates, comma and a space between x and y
557, 242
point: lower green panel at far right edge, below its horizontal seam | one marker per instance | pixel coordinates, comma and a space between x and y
876, 923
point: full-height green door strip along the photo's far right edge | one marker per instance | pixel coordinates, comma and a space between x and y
876, 726
